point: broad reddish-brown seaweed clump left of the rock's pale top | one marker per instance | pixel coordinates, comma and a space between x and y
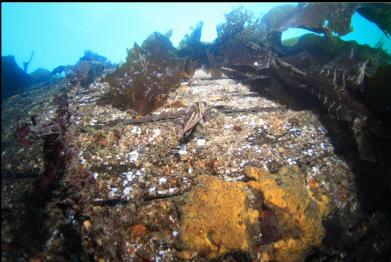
149, 74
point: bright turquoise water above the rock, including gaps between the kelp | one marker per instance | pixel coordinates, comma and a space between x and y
58, 33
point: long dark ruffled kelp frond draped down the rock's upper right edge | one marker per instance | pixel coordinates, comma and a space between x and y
326, 84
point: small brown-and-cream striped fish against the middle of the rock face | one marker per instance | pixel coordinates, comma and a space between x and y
194, 114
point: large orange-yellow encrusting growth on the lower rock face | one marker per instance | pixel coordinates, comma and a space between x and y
217, 217
